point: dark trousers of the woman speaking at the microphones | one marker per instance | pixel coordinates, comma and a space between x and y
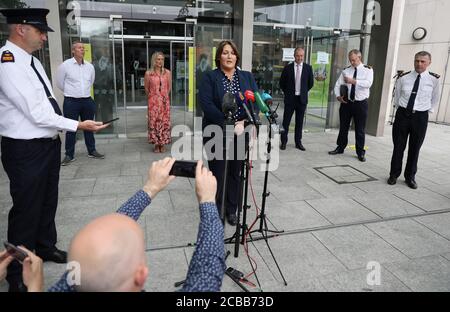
234, 183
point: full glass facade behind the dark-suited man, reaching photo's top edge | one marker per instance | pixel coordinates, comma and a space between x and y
326, 29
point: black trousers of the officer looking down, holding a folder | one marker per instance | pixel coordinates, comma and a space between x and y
358, 111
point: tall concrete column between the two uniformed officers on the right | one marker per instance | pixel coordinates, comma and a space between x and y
383, 58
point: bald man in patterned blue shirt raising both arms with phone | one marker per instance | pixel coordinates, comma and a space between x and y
115, 242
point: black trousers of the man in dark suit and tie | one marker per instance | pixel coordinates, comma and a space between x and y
299, 108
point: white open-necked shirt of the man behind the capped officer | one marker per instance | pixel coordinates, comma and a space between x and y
74, 79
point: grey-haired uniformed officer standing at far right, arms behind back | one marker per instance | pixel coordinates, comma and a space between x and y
416, 95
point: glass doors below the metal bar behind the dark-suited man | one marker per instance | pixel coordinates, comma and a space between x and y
325, 50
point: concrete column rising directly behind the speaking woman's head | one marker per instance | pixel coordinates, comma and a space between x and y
243, 31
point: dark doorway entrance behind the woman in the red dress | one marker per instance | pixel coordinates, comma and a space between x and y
132, 58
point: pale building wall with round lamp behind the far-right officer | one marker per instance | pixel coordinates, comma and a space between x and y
433, 16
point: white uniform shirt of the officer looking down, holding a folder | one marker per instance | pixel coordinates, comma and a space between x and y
364, 80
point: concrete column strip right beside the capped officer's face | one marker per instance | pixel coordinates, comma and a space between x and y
55, 45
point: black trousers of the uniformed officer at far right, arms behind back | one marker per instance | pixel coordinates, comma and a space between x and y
414, 126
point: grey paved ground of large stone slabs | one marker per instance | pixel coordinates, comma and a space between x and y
332, 231
